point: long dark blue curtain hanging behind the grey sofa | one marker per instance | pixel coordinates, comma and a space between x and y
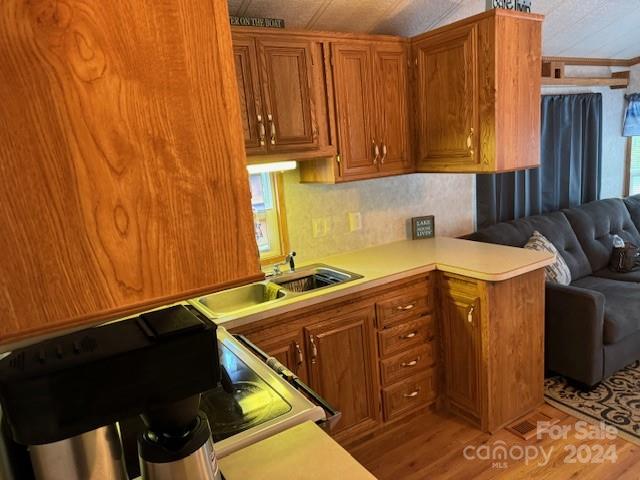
570, 164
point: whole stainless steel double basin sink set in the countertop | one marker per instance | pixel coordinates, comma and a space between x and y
275, 289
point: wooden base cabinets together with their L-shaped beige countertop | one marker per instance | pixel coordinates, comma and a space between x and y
441, 322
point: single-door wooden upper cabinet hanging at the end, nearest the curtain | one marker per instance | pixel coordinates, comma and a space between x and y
477, 92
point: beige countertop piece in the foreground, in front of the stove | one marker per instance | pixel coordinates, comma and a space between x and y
302, 452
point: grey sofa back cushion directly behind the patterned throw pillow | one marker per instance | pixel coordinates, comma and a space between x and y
554, 226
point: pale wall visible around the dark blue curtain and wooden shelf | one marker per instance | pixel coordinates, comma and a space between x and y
614, 145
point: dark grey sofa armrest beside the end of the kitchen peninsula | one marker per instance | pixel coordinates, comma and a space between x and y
574, 323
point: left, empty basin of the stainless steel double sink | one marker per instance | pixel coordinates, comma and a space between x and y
237, 299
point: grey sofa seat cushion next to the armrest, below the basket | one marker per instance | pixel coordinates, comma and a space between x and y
621, 308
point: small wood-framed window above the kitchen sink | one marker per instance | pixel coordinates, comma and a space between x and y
269, 216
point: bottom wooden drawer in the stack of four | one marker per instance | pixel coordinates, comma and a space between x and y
410, 394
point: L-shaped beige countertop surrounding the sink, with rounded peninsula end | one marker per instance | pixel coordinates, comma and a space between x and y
393, 261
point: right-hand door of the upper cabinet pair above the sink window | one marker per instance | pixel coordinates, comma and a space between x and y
286, 86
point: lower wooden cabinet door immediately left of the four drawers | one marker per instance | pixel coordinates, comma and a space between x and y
342, 368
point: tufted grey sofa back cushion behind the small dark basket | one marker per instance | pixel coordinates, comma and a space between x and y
596, 223
